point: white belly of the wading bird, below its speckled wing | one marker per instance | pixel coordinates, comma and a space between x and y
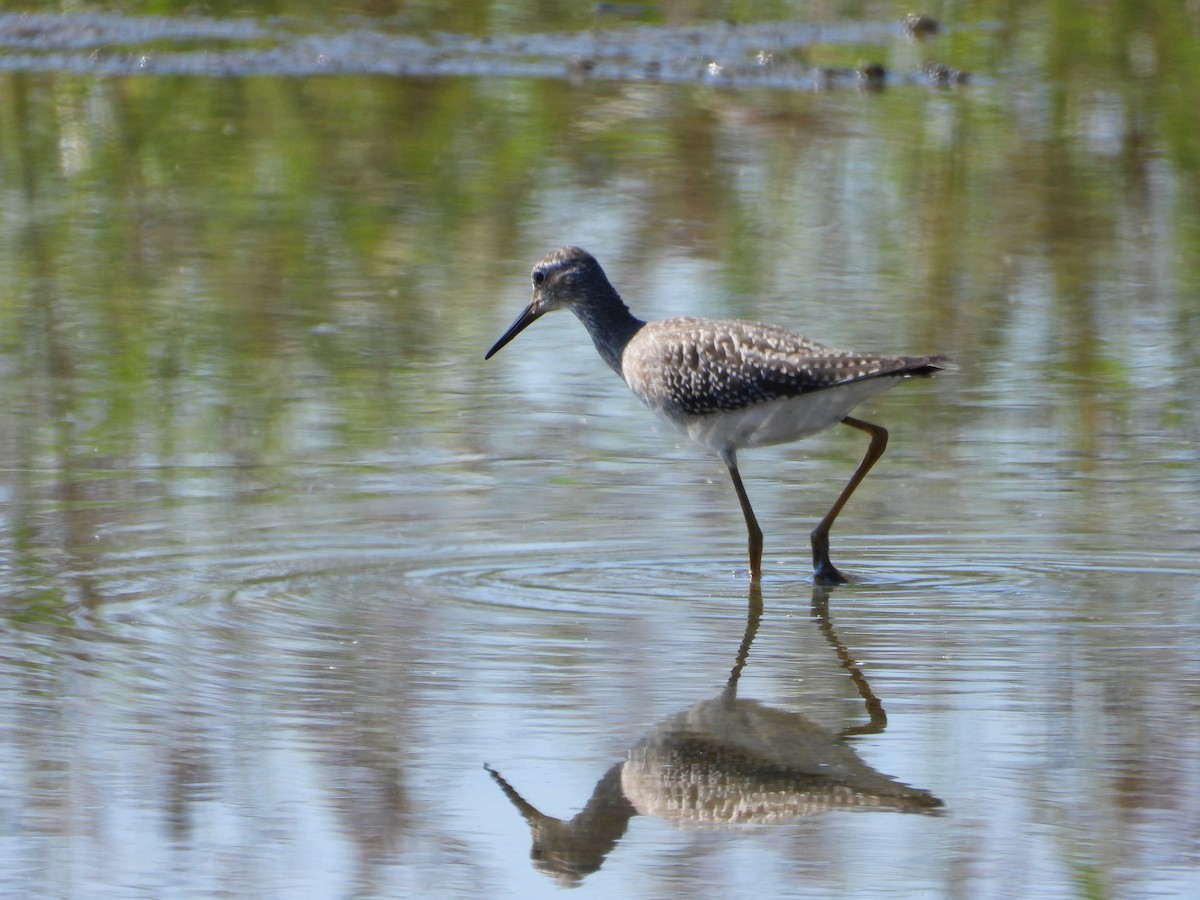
779, 422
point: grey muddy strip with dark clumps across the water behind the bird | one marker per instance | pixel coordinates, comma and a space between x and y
722, 55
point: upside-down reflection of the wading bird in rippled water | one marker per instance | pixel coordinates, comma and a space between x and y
725, 763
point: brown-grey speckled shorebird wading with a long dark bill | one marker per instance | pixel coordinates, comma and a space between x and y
728, 385
